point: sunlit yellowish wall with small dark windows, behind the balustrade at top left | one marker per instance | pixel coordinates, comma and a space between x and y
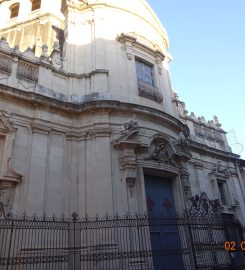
32, 28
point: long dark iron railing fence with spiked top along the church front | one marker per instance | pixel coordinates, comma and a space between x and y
139, 242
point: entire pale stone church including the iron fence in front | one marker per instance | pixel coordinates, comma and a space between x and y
90, 127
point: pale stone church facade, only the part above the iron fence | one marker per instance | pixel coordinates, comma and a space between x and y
89, 121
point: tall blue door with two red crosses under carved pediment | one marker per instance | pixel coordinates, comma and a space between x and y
165, 240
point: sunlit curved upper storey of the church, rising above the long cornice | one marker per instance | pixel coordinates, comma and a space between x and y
122, 38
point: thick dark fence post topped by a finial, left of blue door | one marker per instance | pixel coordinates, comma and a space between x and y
74, 244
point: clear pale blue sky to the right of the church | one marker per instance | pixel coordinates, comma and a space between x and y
207, 43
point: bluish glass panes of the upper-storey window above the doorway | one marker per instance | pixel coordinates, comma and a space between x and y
144, 72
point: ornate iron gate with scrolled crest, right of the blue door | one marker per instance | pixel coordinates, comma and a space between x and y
208, 234
